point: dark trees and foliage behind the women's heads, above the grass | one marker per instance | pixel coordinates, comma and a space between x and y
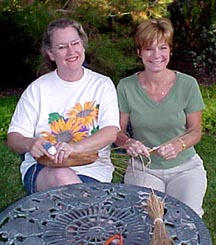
22, 23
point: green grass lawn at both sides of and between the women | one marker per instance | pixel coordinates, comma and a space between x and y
11, 188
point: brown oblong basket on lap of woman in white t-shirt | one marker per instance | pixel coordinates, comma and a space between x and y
75, 159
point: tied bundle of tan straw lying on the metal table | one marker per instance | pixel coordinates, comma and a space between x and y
156, 212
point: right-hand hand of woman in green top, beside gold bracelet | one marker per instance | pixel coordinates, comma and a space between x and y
170, 150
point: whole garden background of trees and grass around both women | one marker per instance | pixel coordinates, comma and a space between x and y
110, 25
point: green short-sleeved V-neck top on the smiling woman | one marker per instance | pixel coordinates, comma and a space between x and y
154, 123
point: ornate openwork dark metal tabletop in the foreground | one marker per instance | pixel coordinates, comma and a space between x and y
88, 214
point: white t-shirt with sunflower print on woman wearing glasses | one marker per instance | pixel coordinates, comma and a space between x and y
65, 111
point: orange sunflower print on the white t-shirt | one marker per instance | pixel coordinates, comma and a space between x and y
81, 121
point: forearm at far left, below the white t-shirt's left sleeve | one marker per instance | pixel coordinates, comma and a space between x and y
19, 143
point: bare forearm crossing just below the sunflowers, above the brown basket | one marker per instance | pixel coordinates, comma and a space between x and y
100, 139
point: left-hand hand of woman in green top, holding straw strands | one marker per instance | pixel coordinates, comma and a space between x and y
135, 147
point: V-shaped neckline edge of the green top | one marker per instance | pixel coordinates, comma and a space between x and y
165, 98
